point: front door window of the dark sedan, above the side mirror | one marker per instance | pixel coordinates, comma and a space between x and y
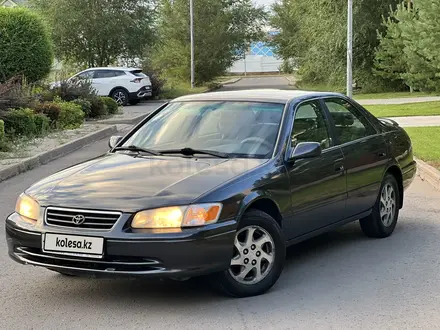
310, 125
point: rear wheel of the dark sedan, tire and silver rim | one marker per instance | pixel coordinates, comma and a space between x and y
381, 225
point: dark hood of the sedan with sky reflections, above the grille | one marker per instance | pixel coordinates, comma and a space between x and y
126, 183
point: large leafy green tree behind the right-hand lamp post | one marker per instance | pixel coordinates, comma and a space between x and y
313, 33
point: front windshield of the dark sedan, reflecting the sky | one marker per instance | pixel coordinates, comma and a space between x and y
238, 129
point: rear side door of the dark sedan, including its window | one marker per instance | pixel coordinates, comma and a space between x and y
365, 153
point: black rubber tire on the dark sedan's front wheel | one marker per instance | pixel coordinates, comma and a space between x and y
259, 223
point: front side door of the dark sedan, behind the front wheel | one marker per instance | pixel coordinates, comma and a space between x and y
317, 185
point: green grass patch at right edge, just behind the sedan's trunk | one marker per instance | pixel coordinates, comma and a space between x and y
425, 144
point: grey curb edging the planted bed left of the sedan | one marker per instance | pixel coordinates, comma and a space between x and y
30, 163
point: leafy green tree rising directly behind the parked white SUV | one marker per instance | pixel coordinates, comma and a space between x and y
98, 33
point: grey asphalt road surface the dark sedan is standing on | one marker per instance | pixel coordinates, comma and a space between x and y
340, 280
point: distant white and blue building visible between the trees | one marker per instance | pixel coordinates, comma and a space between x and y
259, 58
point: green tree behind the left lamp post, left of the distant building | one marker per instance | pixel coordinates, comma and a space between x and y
222, 28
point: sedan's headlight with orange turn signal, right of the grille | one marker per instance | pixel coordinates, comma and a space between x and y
177, 216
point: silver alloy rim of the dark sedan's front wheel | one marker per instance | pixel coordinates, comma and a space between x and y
254, 255
